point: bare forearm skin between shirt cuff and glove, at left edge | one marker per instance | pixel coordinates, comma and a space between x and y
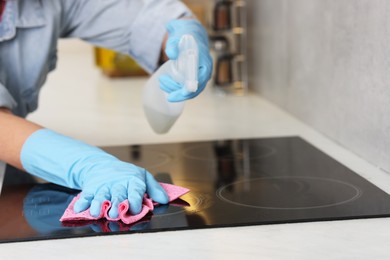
13, 133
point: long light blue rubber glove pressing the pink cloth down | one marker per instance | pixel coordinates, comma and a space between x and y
100, 176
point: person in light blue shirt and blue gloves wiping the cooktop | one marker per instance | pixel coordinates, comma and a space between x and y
147, 30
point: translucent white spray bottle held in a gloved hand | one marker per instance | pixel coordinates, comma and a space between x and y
160, 113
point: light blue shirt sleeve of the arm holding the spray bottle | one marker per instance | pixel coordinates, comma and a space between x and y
133, 27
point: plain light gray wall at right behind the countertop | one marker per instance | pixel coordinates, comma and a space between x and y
328, 63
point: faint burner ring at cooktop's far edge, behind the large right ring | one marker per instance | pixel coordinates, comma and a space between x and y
199, 152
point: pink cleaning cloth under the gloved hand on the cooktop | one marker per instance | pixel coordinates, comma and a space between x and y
174, 192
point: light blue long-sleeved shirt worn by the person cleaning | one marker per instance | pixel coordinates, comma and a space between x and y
30, 30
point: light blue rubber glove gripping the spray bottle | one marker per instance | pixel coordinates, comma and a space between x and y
176, 29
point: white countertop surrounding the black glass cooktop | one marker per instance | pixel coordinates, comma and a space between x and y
78, 101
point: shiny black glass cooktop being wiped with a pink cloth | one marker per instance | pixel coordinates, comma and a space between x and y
232, 182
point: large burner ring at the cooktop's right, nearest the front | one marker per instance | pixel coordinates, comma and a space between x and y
355, 191
